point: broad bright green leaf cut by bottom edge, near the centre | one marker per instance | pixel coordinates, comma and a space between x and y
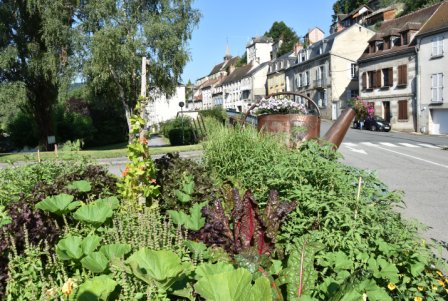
233, 285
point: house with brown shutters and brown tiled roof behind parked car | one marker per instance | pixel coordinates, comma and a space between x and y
388, 70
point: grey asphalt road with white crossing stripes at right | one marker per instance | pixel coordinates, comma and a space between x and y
415, 164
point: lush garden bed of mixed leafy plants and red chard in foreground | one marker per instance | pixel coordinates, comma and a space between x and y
253, 221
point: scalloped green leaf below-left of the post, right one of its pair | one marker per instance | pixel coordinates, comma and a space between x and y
93, 213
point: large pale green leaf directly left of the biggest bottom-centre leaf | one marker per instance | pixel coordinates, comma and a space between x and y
162, 267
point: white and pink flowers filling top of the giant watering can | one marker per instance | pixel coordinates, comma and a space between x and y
280, 106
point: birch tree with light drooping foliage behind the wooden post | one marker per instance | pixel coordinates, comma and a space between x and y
117, 34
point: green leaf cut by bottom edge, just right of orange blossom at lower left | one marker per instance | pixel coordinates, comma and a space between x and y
96, 289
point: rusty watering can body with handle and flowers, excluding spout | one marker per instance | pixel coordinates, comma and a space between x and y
280, 114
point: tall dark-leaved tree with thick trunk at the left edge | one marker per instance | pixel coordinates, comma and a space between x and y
35, 44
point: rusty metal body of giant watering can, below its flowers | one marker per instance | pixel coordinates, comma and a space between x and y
297, 127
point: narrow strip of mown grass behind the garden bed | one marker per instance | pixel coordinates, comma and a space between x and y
110, 151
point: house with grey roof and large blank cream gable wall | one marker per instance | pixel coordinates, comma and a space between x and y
326, 71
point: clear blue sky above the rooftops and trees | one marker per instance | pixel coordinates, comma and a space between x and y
234, 22
